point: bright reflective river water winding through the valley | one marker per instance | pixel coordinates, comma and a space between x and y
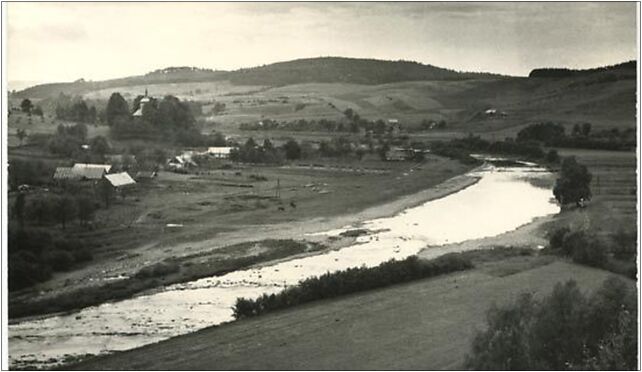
503, 199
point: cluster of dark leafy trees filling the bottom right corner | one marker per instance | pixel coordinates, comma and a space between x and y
566, 330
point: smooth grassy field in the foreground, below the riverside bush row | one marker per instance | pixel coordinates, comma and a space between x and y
426, 324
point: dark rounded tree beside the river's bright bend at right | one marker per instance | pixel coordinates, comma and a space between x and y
573, 184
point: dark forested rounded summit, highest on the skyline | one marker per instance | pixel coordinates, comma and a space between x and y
345, 70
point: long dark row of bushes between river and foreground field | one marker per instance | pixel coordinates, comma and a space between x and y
349, 281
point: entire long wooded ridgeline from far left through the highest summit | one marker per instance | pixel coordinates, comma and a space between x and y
313, 70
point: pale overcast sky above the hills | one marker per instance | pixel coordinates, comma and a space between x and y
67, 41
